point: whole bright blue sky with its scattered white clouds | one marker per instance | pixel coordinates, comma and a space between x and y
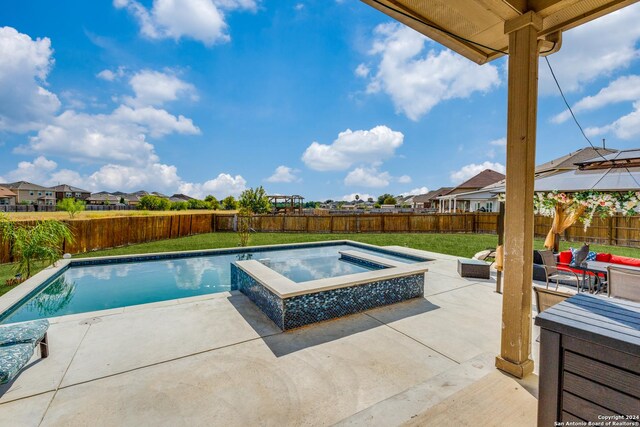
322, 98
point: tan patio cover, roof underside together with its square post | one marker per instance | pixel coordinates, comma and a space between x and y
483, 30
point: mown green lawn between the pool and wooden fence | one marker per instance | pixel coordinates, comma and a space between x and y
453, 244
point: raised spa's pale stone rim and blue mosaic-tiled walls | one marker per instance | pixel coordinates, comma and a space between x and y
293, 304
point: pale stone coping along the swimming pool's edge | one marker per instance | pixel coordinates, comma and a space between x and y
42, 278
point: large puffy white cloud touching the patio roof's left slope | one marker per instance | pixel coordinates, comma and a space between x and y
417, 80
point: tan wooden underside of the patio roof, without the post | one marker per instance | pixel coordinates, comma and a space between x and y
476, 28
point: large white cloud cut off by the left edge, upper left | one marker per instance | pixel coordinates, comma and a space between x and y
25, 63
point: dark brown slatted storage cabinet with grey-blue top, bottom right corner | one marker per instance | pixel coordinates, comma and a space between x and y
589, 361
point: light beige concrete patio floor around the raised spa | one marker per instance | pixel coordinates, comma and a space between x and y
217, 360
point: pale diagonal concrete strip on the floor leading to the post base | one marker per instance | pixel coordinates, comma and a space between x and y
413, 402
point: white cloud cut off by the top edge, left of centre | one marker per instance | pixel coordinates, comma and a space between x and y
201, 20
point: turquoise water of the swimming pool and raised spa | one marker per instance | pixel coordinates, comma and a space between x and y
98, 287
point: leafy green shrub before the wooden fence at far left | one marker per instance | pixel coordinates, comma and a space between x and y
34, 244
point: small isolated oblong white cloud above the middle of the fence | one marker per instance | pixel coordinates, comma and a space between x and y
351, 147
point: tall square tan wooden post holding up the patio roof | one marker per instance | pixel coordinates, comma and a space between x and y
521, 155
